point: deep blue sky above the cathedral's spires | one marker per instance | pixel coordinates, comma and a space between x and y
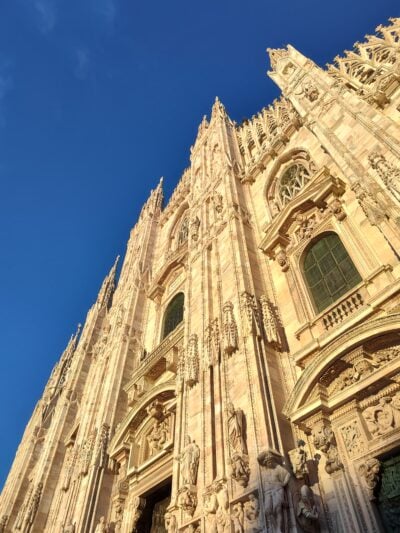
98, 99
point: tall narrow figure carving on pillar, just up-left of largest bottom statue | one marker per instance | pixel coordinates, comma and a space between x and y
238, 445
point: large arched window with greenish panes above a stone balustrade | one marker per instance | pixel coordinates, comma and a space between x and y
328, 270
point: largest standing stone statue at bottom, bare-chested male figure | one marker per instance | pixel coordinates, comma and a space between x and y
276, 477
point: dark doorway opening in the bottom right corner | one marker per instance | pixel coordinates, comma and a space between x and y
389, 494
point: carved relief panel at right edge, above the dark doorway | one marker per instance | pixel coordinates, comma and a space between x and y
384, 416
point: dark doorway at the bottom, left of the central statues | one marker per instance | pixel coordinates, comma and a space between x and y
157, 501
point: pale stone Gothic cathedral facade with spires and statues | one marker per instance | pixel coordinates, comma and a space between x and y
243, 373
